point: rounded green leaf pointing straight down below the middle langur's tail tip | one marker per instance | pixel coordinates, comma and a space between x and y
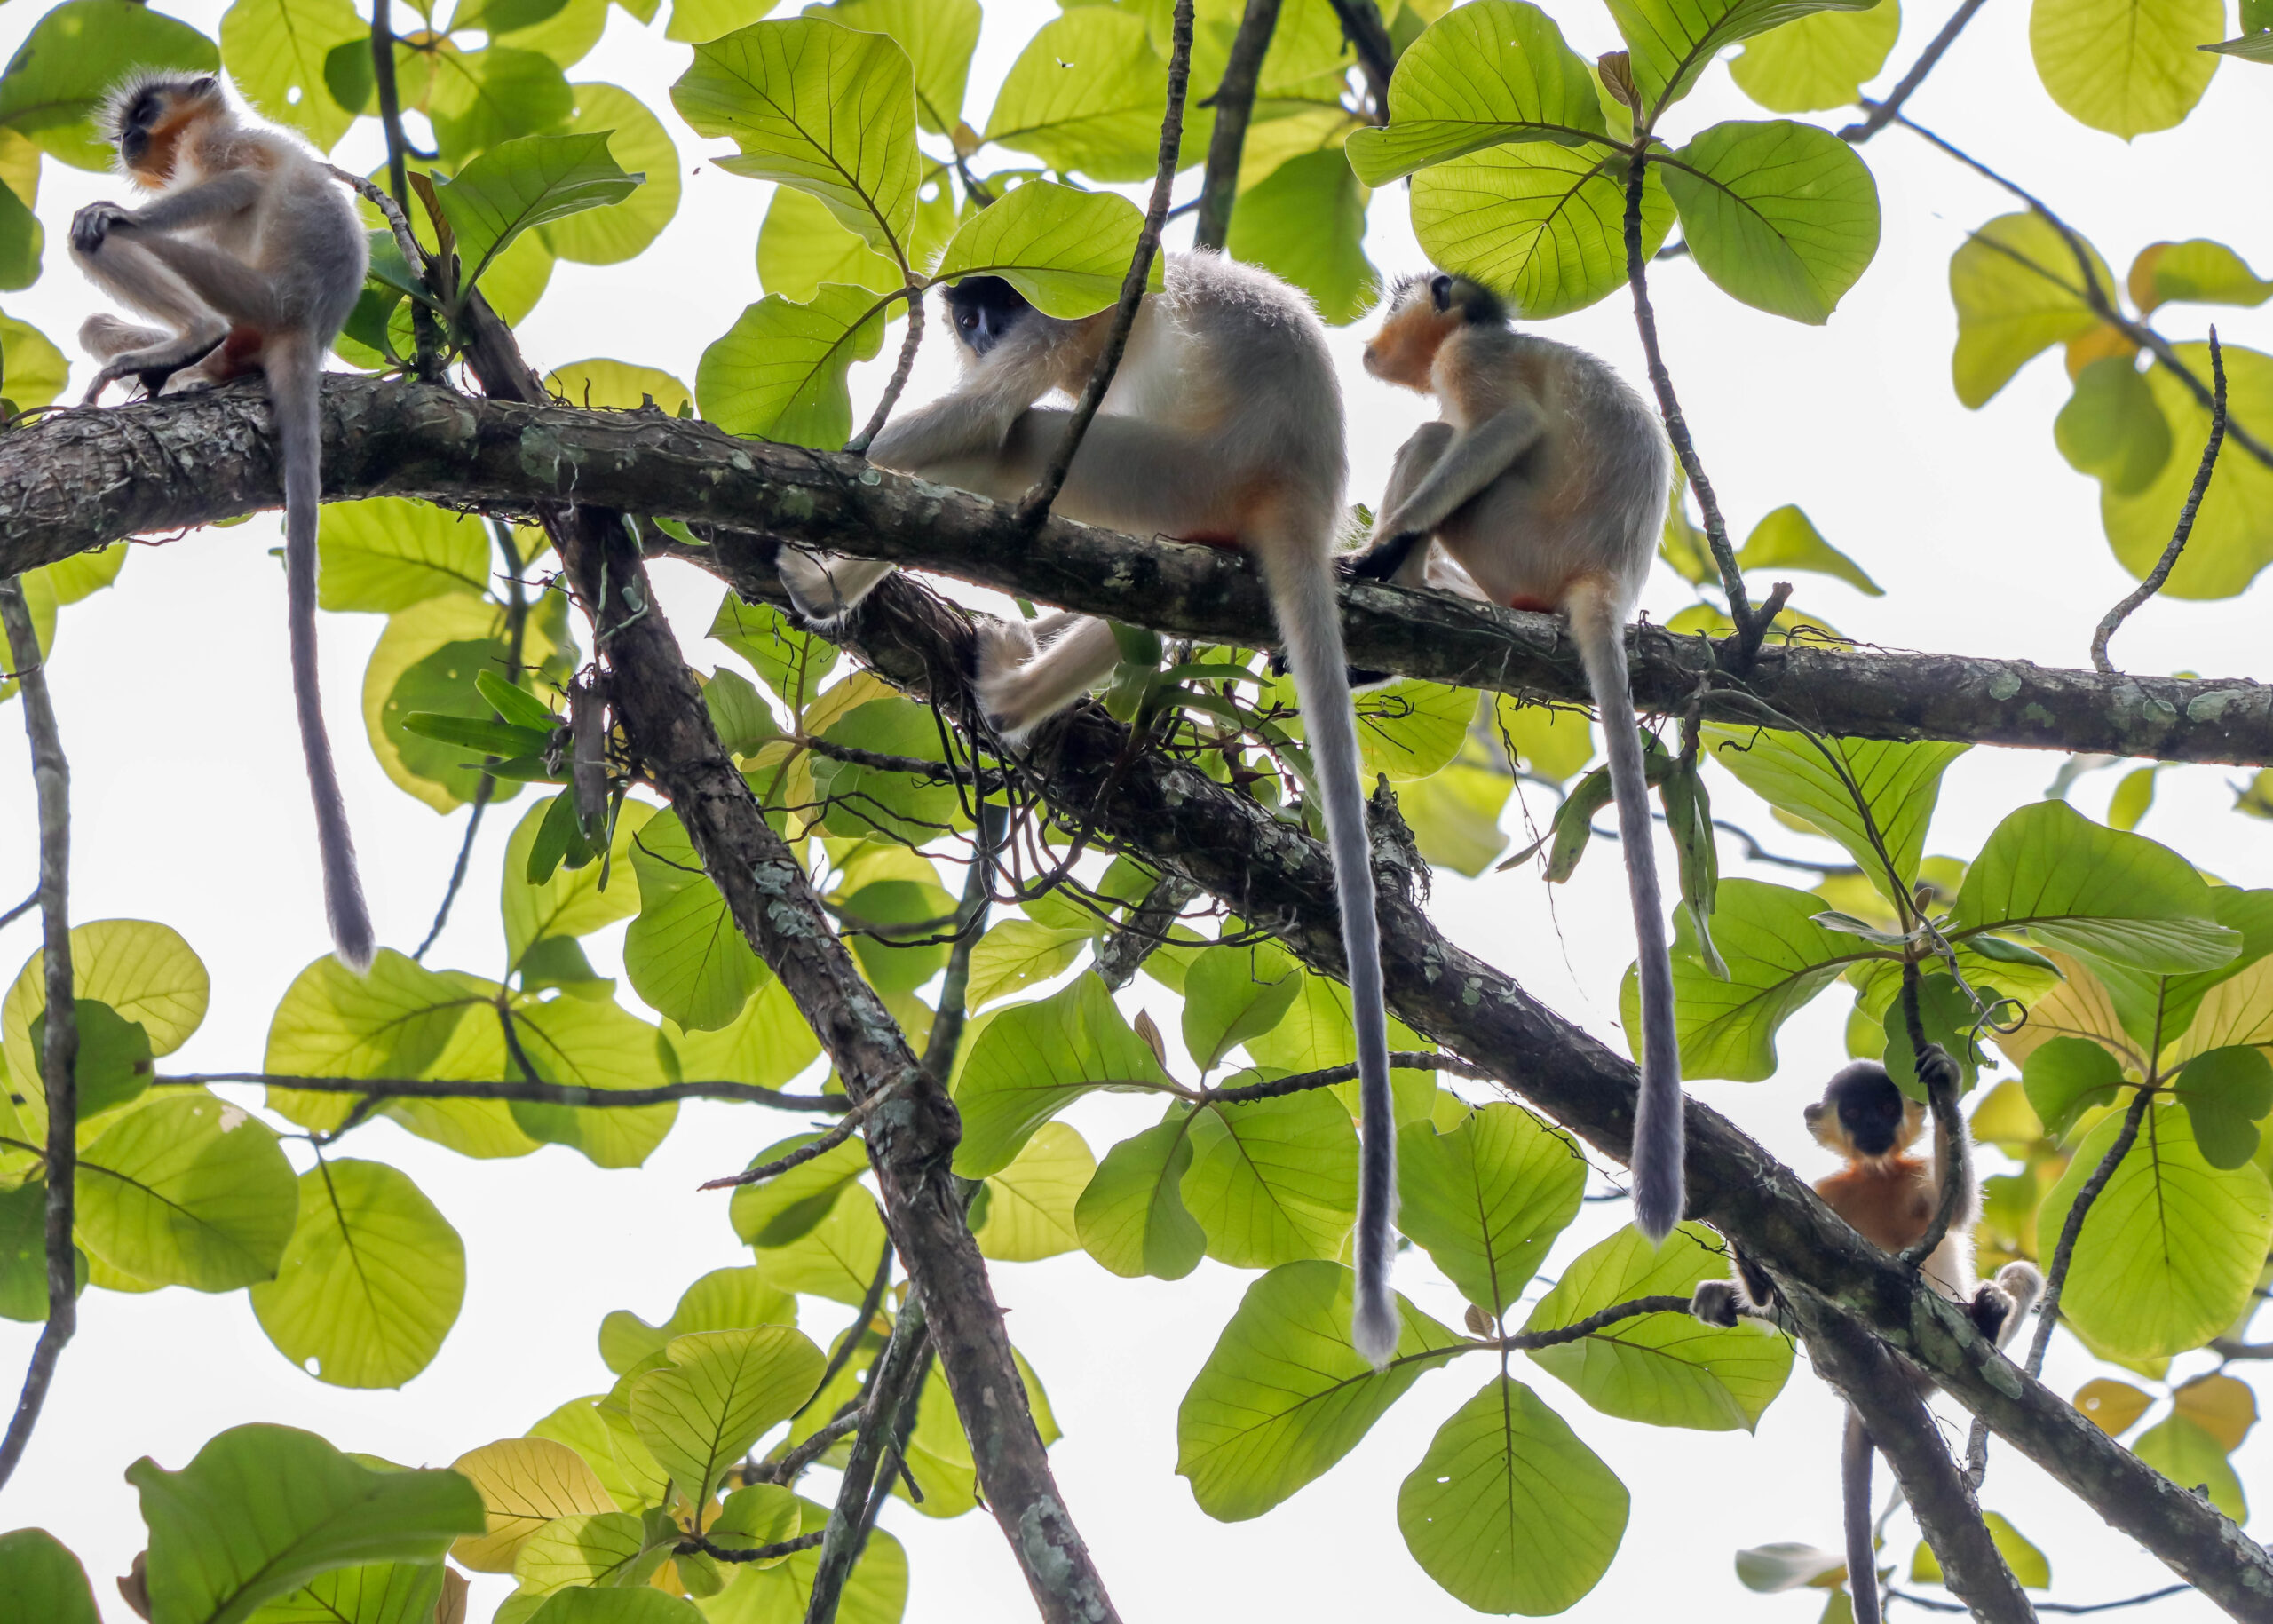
1508, 1509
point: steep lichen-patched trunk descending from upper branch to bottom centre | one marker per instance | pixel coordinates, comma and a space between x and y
915, 1129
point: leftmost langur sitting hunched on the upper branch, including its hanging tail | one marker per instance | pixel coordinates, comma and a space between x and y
249, 258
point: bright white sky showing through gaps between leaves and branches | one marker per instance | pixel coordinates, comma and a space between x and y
197, 815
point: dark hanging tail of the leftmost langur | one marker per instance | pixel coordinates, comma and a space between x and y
294, 372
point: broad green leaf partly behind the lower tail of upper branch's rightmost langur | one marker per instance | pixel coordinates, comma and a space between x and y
1776, 961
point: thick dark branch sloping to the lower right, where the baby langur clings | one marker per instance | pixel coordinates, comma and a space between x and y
1181, 822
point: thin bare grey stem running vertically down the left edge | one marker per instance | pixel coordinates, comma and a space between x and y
60, 1047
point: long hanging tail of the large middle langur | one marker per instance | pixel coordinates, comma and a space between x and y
1310, 624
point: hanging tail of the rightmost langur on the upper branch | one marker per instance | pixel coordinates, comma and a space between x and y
1660, 1193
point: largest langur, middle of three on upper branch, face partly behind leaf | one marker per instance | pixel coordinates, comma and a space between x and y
1224, 426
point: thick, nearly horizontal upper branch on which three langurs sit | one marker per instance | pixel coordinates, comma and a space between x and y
85, 479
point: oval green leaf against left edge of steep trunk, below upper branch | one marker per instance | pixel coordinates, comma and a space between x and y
685, 954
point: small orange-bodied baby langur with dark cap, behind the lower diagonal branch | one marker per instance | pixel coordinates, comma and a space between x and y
1890, 1198
